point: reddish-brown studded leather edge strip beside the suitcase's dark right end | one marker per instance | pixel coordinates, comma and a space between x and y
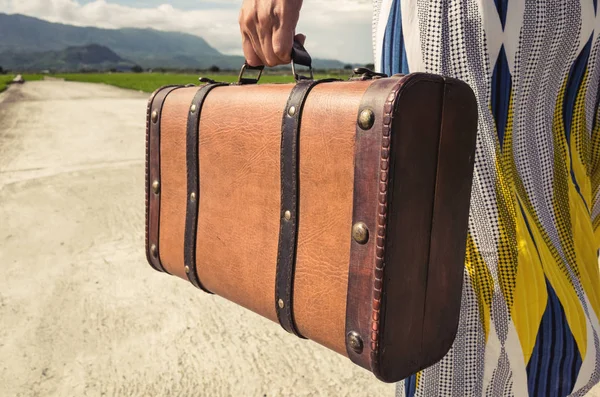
368, 158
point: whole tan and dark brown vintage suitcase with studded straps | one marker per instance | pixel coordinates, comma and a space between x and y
338, 209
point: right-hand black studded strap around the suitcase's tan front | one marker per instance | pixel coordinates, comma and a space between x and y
288, 227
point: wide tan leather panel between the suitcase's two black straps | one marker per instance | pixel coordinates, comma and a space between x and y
240, 184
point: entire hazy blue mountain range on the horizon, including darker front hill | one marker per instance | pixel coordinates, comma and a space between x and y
29, 44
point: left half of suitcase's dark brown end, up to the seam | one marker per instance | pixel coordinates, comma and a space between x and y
415, 132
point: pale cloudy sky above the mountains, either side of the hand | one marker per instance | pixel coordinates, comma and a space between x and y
335, 29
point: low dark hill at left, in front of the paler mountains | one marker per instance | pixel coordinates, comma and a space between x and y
90, 57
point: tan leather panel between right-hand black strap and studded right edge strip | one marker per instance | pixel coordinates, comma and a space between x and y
326, 194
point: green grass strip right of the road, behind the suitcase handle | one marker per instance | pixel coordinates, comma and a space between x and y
148, 82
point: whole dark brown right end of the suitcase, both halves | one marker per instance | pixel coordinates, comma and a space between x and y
430, 169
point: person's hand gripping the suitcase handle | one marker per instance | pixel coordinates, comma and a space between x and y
268, 30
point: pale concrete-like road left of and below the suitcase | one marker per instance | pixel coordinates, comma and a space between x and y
82, 314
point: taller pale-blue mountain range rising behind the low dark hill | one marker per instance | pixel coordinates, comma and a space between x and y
21, 36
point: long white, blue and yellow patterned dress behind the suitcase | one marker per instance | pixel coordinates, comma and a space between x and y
531, 298
